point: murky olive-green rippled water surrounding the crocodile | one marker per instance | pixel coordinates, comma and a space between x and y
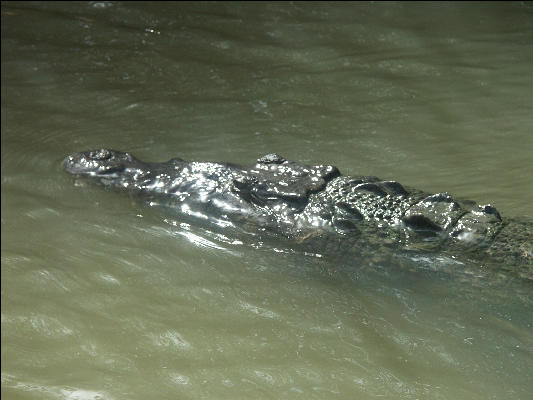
104, 299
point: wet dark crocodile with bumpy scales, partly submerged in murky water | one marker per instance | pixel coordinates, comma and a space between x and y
317, 206
